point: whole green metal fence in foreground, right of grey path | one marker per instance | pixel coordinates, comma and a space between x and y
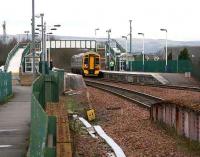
44, 89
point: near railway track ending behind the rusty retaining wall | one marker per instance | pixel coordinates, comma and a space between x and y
143, 99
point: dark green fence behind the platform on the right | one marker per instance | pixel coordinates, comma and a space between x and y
180, 66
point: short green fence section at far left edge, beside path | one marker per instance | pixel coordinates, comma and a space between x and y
5, 86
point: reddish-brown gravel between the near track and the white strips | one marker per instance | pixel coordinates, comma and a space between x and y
130, 127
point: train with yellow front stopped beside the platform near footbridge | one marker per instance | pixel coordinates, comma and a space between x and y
86, 64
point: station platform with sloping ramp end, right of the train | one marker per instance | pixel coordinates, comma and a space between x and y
151, 78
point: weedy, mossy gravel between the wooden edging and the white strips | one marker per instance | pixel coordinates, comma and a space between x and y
83, 144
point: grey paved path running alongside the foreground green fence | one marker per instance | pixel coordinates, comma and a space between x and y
15, 123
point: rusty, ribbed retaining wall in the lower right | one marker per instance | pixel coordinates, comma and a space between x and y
185, 121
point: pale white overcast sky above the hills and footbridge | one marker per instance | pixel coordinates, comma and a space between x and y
81, 17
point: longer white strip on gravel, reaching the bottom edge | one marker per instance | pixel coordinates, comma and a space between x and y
116, 148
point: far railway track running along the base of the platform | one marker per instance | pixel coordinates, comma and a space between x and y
189, 88
